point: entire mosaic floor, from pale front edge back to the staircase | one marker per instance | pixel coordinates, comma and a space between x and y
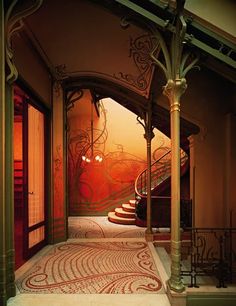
99, 259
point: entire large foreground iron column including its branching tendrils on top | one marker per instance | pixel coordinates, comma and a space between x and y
175, 65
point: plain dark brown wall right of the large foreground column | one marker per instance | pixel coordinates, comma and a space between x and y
206, 103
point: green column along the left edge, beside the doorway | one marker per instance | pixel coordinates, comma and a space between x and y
7, 261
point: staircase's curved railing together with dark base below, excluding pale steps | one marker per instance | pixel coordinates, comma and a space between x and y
160, 180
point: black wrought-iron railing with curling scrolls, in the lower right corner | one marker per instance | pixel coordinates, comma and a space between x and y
212, 253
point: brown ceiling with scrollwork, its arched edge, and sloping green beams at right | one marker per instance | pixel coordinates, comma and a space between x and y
110, 40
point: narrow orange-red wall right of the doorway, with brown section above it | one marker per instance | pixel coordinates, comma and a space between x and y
34, 75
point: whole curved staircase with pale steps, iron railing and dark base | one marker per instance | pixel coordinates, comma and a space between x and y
134, 212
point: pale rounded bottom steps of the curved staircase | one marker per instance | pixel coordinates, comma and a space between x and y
124, 214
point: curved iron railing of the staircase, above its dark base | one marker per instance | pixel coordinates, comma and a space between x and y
159, 173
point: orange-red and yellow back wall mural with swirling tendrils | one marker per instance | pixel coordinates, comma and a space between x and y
105, 155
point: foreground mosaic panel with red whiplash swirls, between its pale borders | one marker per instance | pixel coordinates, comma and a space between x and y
94, 267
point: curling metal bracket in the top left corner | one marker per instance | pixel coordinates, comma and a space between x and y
13, 23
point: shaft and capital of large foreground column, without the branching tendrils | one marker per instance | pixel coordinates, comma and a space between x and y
174, 90
